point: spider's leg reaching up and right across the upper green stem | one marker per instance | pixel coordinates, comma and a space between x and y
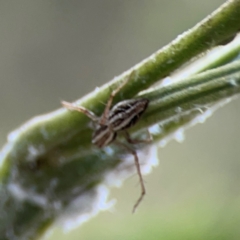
113, 94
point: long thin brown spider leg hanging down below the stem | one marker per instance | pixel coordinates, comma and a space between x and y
143, 191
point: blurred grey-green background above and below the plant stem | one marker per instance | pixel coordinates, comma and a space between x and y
61, 50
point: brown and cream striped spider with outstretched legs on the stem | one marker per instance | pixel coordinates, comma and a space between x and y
117, 119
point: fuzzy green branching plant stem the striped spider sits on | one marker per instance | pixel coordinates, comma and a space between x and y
50, 161
